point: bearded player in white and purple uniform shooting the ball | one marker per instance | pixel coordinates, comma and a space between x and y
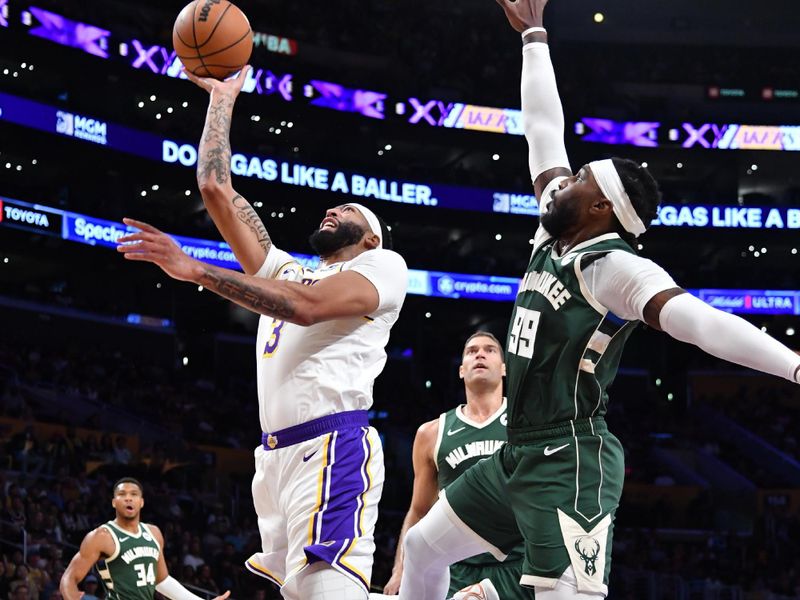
320, 346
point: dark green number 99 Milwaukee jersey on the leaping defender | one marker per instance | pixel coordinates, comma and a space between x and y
563, 347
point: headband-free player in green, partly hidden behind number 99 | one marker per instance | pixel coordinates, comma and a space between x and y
445, 447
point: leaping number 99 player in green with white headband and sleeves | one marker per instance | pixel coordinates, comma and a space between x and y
556, 484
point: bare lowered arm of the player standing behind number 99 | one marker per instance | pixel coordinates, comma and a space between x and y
423, 497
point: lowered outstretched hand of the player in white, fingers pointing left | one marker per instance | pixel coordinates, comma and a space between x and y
151, 245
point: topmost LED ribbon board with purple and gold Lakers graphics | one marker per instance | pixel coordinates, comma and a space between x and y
435, 113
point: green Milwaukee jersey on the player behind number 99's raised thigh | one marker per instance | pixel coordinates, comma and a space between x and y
460, 444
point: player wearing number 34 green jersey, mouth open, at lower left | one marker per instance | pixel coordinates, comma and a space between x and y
129, 554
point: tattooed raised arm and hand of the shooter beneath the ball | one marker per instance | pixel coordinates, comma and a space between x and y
233, 215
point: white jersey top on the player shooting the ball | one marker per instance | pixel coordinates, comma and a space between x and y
309, 372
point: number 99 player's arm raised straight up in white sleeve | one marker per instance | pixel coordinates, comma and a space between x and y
542, 115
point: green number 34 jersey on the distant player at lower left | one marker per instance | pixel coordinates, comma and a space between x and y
130, 573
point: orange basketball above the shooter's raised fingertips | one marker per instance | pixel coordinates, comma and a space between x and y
212, 38
